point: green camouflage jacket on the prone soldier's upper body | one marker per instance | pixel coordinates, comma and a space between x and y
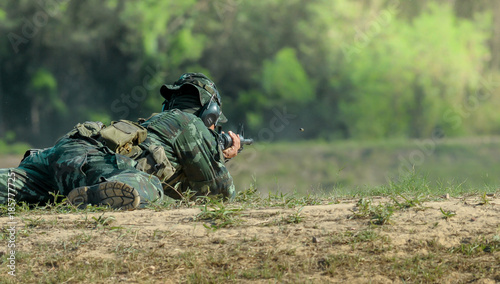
185, 155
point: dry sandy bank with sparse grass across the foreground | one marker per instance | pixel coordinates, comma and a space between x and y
443, 241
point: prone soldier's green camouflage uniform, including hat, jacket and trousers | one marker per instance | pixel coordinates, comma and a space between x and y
179, 150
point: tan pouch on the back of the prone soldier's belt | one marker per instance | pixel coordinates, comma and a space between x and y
122, 135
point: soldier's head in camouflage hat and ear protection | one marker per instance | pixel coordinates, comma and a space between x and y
195, 93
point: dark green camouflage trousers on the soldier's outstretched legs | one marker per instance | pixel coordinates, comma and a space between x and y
72, 163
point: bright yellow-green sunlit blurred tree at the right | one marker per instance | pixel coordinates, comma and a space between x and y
402, 87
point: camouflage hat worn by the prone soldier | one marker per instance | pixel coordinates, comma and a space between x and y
206, 89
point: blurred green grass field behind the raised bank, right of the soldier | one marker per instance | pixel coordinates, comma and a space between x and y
453, 166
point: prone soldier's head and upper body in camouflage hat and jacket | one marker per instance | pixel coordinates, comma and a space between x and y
194, 157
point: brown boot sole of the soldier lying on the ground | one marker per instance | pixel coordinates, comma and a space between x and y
115, 194
